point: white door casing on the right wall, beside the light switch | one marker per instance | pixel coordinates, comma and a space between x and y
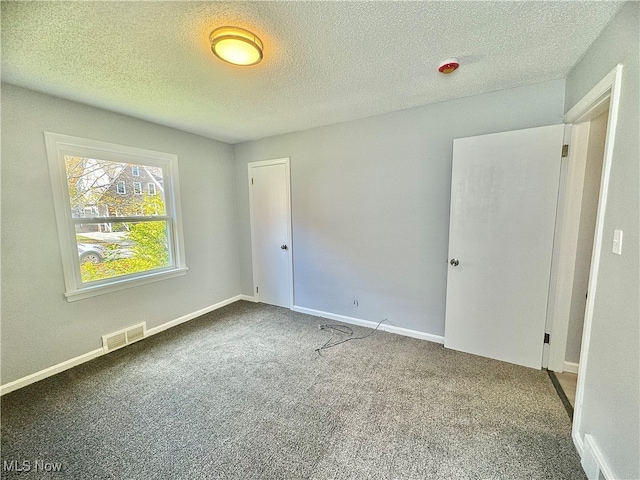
585, 109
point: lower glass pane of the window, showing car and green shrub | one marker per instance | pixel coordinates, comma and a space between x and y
108, 250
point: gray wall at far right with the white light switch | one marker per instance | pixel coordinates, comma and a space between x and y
611, 382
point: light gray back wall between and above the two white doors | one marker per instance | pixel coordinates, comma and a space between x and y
370, 201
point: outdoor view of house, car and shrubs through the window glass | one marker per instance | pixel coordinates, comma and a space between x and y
121, 227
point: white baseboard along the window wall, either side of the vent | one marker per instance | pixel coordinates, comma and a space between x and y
72, 362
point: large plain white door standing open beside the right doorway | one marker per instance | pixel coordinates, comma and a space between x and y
504, 192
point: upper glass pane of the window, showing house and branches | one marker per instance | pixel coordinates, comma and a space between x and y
108, 188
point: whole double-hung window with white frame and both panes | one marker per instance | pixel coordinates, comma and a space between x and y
128, 239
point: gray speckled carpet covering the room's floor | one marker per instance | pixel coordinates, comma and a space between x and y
240, 393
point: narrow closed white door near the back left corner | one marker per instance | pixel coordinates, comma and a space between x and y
269, 193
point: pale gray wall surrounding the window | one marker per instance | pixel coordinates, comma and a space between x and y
39, 327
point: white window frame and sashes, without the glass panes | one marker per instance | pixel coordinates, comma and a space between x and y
58, 146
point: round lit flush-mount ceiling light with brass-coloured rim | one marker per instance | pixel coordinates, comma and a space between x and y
236, 45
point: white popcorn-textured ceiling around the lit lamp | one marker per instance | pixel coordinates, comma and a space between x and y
325, 62
